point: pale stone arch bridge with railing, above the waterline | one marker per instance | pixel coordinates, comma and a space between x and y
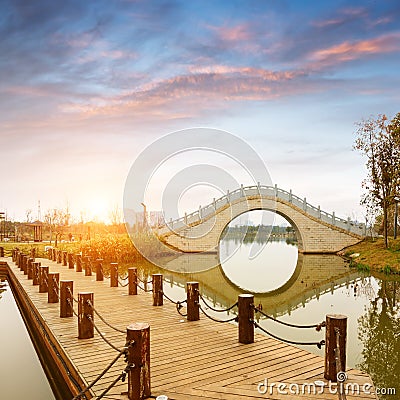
317, 231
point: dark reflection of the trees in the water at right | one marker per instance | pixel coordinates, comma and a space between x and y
379, 331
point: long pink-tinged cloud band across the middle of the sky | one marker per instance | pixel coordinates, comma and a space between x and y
188, 95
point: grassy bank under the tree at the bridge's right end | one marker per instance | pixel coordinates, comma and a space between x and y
374, 257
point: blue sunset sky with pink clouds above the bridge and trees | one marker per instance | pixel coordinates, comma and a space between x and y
87, 85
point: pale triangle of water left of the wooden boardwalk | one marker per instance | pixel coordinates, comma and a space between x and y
21, 374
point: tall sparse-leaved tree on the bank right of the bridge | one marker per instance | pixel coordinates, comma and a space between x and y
379, 140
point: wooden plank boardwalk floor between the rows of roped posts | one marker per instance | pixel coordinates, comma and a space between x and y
189, 360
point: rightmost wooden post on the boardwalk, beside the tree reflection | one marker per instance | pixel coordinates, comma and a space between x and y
335, 322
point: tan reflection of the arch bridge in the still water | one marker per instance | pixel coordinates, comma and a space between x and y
314, 275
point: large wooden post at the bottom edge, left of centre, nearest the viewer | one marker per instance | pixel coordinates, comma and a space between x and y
138, 338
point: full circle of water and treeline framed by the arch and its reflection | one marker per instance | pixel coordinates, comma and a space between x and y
272, 267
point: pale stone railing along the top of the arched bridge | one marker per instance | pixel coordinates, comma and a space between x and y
262, 190
